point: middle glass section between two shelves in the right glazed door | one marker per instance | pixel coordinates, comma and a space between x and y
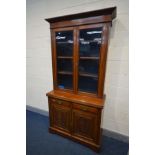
88, 66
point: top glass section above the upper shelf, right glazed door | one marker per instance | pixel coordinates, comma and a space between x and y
90, 42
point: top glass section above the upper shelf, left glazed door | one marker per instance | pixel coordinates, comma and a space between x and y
64, 43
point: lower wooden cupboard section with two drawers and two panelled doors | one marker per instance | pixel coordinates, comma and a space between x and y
78, 122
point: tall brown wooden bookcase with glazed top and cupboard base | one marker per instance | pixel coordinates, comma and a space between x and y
79, 51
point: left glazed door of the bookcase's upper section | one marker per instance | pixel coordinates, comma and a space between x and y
63, 58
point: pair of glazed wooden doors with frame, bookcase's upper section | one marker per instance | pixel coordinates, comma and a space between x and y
78, 60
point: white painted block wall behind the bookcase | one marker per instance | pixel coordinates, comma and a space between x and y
39, 73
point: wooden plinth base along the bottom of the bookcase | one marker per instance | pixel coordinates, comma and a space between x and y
93, 146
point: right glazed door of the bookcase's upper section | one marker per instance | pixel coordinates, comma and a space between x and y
90, 39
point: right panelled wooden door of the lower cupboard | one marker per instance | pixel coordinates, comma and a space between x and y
84, 125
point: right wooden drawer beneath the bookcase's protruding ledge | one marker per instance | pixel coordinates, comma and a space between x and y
85, 108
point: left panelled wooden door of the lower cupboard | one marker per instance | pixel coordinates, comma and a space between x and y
61, 117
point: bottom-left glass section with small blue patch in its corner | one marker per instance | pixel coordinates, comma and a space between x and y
65, 81
